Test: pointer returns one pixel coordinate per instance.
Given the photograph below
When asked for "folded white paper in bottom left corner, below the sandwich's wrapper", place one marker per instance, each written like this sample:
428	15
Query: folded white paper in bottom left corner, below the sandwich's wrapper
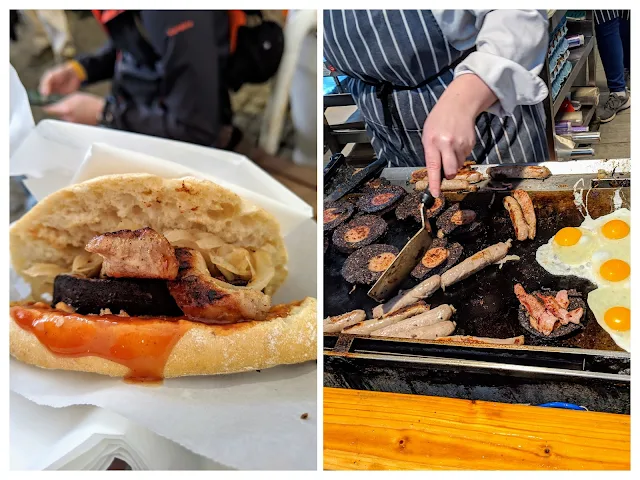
82	437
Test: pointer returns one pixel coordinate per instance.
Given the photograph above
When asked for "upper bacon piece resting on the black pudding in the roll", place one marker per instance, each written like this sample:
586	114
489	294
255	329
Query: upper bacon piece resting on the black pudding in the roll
140	253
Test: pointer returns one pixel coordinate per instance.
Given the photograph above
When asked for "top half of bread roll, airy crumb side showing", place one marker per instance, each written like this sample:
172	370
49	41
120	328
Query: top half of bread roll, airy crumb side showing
57	229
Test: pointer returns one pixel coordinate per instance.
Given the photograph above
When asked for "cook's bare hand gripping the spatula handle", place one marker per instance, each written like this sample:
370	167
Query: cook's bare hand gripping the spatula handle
449	131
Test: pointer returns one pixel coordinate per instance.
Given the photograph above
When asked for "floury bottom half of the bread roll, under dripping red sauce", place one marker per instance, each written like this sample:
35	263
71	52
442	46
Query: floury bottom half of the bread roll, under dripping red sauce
202	350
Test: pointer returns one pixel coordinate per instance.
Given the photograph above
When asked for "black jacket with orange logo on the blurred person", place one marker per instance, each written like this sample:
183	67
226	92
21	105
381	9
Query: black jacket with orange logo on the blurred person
167	71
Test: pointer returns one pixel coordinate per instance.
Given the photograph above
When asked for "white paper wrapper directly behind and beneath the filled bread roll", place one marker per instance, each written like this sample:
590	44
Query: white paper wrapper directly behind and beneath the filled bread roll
243	421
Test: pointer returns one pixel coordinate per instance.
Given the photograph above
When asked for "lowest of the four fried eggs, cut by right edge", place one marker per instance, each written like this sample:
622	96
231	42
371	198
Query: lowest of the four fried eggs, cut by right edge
612	308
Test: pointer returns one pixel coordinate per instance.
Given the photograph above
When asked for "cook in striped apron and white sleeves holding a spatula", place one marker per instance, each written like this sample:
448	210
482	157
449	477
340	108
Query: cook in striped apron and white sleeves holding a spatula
445	86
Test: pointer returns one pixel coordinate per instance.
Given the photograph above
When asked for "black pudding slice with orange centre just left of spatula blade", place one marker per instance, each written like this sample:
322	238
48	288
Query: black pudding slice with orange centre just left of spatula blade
367	265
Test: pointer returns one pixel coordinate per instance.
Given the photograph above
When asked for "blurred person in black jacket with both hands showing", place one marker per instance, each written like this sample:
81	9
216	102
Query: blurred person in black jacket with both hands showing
170	73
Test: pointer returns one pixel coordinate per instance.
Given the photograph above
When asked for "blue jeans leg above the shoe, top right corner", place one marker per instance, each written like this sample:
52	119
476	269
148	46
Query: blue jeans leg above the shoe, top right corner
614	45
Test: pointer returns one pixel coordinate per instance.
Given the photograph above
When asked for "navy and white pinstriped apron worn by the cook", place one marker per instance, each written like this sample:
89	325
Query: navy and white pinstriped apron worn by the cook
406	48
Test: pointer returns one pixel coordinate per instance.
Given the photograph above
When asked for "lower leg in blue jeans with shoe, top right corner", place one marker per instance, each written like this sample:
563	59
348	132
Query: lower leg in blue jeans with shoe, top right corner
613	36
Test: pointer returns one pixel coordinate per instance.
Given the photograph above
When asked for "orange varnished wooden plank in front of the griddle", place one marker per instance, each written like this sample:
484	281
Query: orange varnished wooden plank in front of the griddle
379	431
